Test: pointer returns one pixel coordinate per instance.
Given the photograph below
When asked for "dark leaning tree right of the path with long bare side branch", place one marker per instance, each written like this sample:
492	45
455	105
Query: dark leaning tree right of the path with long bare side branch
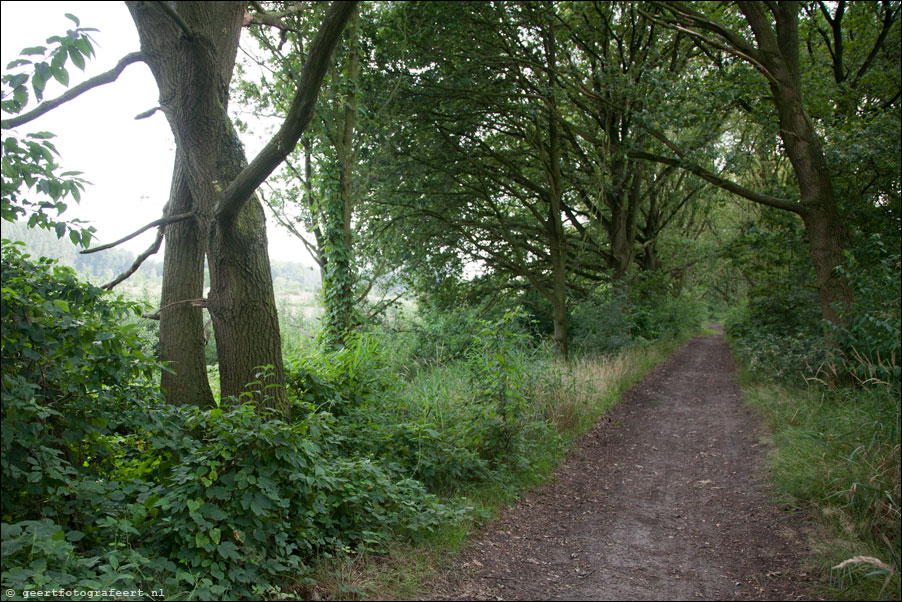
767	37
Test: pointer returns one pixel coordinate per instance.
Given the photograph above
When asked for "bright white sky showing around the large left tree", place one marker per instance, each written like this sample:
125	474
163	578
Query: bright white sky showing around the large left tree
128	162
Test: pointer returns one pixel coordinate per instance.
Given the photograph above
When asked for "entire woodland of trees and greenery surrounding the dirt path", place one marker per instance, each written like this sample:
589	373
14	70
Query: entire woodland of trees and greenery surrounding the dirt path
500	197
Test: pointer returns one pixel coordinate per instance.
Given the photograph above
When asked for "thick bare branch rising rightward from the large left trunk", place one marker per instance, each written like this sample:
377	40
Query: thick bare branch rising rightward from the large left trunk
242	187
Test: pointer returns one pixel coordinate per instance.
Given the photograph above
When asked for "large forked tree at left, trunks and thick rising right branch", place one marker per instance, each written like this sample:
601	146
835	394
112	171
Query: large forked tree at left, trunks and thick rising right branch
191	52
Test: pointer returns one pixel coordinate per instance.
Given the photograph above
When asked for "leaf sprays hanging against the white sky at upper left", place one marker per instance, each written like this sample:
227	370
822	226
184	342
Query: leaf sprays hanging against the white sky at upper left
29	161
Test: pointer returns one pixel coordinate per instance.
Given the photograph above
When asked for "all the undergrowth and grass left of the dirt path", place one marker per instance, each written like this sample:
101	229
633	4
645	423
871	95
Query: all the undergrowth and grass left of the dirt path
396	439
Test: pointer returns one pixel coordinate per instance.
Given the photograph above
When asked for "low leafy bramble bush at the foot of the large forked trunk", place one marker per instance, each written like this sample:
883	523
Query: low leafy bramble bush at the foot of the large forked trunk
254	499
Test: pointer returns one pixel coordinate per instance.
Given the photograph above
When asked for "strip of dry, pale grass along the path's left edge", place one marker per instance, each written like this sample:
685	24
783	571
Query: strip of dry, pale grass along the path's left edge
571	396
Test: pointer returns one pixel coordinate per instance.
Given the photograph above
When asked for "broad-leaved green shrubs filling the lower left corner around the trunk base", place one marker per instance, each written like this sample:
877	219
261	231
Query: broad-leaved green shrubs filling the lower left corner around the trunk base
103	484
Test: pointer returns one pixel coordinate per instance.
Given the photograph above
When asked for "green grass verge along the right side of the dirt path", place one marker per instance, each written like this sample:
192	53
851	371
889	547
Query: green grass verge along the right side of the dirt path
837	456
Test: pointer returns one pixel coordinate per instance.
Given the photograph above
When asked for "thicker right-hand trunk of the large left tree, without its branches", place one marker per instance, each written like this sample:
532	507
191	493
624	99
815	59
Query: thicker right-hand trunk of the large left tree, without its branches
193	70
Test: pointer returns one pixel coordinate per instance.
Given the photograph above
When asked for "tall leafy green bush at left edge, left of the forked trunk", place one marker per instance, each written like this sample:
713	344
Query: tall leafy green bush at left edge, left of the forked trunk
71	355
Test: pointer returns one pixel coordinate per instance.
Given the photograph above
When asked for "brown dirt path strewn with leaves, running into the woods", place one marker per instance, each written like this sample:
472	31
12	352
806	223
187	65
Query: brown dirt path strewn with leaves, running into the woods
663	500
